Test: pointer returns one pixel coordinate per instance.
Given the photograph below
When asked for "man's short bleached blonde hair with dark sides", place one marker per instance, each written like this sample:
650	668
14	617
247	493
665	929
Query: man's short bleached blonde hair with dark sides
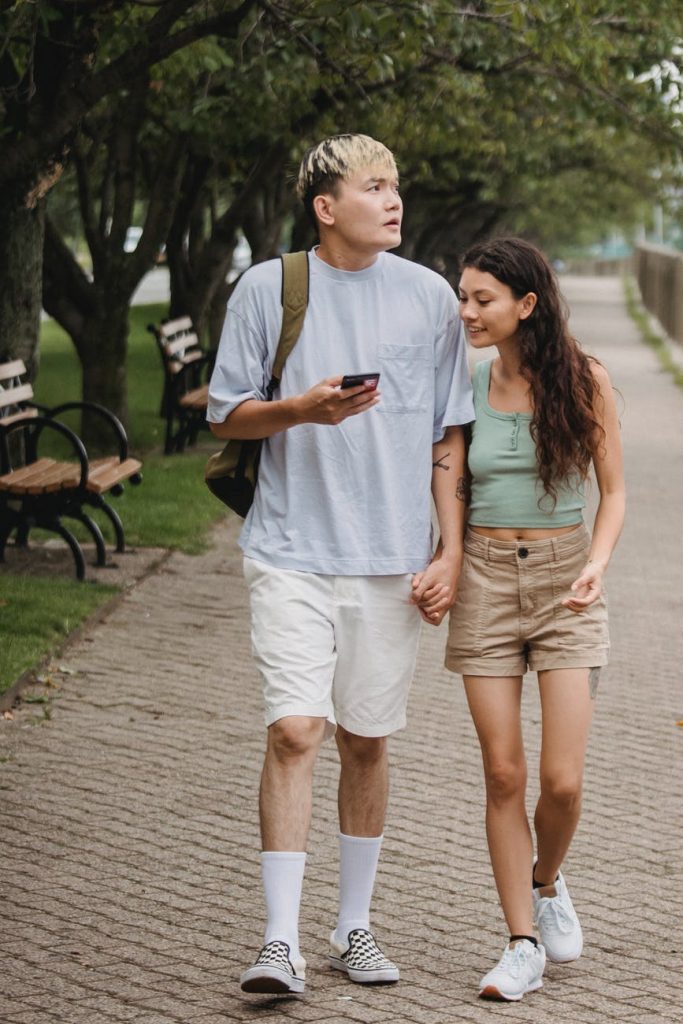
336	159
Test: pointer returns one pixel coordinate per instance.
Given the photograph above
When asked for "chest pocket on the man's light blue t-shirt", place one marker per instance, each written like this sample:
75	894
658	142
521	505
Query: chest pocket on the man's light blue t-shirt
407	379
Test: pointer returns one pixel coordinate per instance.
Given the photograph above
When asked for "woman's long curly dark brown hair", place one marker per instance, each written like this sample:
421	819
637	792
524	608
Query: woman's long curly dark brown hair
564	389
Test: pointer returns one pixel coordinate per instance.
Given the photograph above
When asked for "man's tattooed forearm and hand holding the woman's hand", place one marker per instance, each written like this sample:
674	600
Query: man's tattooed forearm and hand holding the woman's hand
435	590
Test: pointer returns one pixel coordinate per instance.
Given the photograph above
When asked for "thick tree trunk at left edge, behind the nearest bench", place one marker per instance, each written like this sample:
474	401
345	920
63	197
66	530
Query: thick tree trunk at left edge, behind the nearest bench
22	228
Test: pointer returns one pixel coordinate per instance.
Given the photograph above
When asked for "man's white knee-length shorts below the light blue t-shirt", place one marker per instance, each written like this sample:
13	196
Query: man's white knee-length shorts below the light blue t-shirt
337	648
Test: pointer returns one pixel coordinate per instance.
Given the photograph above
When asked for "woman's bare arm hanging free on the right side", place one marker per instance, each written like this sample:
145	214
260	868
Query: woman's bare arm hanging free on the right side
609	464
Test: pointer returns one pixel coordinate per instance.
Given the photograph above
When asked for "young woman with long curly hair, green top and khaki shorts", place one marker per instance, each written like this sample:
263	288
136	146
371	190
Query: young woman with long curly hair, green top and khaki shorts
531	593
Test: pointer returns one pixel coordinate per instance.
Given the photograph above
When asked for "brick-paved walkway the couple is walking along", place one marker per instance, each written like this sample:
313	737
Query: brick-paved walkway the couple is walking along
129	832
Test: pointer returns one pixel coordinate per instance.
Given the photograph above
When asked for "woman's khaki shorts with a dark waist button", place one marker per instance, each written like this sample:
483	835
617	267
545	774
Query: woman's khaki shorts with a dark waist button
509	617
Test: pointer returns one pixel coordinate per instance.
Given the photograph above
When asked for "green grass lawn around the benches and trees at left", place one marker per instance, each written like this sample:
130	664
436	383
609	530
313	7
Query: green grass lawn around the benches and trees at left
173	507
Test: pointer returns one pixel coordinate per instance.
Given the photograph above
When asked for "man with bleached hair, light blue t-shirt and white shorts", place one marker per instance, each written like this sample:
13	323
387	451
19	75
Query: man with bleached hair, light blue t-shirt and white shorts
338	552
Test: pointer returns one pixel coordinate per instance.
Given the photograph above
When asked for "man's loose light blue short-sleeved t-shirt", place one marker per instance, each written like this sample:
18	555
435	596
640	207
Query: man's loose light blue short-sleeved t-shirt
353	499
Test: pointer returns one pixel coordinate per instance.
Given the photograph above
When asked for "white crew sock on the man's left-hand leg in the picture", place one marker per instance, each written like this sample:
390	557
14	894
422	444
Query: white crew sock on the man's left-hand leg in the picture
283	878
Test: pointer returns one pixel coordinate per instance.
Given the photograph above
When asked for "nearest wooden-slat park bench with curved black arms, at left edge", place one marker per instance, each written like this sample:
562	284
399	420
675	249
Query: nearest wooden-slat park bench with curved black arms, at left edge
37	491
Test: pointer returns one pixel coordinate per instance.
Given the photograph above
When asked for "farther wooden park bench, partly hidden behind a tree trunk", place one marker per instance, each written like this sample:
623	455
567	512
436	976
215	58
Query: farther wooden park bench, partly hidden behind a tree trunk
186	393
